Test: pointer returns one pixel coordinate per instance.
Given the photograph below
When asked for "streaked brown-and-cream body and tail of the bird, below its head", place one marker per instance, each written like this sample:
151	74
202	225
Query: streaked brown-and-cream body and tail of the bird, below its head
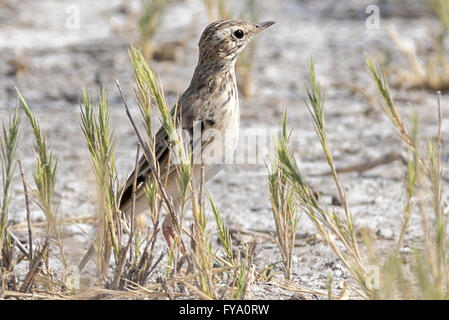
210	102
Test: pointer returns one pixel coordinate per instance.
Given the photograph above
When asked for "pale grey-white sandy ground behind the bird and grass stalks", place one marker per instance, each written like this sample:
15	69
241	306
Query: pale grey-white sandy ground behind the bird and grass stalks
59	62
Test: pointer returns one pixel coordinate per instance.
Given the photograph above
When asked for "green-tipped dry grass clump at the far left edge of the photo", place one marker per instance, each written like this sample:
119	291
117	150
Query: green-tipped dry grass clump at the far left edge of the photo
39	274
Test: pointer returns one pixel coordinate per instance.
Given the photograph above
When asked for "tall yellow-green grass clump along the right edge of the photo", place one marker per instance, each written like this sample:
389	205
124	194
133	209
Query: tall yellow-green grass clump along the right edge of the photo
428	277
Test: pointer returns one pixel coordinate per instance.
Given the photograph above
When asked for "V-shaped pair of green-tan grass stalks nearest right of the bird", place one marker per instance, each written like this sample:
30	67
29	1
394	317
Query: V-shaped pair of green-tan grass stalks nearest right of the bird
337	230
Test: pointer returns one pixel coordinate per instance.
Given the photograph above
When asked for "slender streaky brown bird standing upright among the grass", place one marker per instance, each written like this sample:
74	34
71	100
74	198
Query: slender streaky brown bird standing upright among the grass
211	104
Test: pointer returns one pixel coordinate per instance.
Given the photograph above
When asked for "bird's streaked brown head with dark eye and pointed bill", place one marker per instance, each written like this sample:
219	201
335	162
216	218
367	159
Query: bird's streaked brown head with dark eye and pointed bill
223	40
